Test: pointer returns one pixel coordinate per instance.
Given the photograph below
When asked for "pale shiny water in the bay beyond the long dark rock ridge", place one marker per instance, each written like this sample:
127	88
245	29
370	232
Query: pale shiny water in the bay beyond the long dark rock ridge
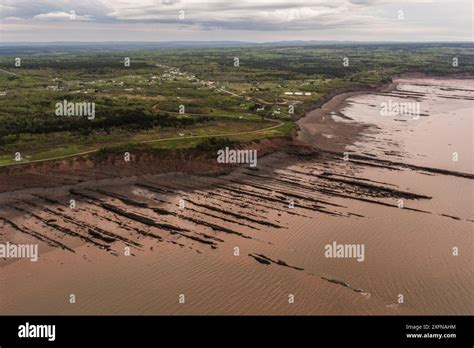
445	124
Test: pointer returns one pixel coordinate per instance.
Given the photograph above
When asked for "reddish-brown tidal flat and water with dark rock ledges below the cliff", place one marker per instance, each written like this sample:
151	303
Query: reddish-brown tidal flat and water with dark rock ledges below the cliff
190	250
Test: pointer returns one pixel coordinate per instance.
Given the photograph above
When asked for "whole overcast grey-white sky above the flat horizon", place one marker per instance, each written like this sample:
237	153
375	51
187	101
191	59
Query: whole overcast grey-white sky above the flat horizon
242	20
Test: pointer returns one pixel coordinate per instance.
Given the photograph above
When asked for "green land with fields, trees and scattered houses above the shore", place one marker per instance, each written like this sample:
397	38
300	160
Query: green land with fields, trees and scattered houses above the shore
140	103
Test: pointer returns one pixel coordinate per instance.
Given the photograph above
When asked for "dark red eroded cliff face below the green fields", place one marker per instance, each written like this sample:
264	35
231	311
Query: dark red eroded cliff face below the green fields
94	167
